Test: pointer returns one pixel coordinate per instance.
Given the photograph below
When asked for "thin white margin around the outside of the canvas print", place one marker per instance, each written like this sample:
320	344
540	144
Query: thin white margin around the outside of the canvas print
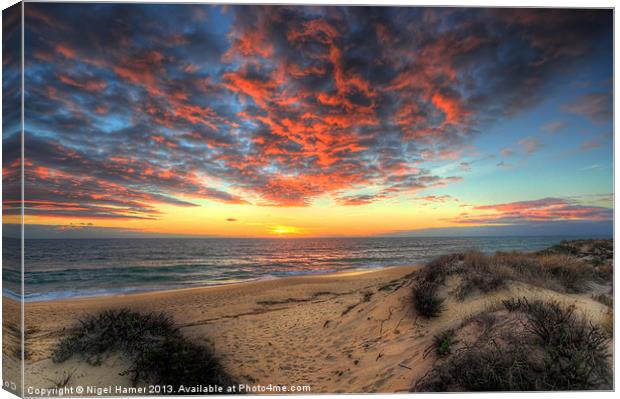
496	3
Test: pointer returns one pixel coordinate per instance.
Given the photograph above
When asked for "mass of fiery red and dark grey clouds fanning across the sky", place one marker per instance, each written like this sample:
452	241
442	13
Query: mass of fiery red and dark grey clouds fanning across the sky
290	104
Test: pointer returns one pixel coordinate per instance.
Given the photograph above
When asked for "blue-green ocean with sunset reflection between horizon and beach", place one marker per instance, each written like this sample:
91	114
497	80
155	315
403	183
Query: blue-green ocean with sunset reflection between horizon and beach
94	267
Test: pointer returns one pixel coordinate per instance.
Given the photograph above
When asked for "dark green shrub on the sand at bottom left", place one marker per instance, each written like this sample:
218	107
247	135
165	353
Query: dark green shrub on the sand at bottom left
158	352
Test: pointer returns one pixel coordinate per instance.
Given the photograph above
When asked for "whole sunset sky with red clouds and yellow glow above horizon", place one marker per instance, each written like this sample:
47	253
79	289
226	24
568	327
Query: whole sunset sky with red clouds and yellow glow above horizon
313	121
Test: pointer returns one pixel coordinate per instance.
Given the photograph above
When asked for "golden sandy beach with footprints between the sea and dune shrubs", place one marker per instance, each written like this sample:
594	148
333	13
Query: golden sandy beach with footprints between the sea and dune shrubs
341	332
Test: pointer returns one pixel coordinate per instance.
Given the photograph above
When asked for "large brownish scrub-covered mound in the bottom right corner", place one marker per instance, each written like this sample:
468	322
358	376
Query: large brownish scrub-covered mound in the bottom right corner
535	346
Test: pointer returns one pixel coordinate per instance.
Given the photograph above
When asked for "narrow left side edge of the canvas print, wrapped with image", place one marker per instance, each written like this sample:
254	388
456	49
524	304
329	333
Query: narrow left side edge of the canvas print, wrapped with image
13	351
